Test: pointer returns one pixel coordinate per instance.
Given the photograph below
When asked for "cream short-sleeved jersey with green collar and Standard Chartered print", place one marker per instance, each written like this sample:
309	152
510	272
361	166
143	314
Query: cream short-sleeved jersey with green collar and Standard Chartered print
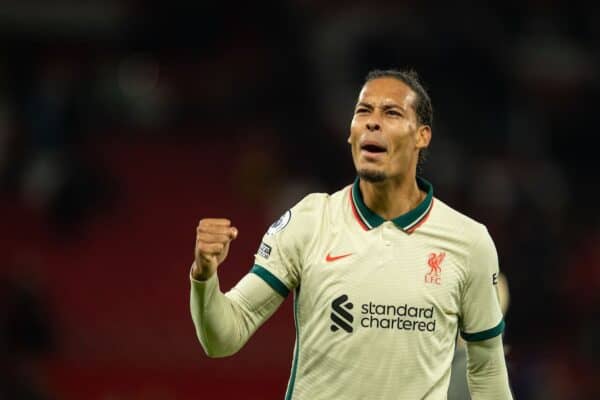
378	303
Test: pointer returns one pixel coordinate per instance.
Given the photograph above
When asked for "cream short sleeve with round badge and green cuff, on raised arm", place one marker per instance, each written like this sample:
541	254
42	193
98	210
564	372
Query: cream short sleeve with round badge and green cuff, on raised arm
281	253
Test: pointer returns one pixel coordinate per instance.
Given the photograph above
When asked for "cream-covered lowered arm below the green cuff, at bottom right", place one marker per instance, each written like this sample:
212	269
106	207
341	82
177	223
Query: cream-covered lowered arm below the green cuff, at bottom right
486	370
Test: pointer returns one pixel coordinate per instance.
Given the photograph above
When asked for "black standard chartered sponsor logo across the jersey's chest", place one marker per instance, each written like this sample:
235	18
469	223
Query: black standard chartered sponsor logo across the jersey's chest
403	317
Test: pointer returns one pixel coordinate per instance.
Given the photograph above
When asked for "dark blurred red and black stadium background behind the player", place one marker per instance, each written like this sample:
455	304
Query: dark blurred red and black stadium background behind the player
122	123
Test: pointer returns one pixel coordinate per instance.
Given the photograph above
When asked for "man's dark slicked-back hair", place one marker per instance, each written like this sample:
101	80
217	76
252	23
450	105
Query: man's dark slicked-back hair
422	106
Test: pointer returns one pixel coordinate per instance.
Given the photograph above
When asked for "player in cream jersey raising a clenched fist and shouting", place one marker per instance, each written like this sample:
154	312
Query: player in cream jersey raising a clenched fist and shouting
383	274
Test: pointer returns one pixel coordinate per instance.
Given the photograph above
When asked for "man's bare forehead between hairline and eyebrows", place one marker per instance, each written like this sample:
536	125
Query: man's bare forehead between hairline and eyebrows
387	89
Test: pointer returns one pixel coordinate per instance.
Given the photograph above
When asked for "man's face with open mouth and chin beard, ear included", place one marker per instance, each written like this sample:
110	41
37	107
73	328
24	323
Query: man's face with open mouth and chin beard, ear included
385	135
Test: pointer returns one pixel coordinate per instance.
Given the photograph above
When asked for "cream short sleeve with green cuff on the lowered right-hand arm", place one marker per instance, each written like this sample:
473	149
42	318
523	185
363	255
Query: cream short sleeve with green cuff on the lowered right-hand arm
481	315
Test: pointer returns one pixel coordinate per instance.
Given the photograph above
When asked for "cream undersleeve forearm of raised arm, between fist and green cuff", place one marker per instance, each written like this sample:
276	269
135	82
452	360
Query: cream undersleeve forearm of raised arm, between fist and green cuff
225	322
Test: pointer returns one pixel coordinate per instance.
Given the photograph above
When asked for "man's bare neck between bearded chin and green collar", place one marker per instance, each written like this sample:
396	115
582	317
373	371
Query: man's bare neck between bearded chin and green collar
393	197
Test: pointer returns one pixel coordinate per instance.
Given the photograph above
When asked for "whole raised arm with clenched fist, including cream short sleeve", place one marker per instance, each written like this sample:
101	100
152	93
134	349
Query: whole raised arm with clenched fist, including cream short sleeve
224	322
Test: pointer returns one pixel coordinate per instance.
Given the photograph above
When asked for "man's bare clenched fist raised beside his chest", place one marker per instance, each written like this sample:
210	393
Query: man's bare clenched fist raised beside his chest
213	236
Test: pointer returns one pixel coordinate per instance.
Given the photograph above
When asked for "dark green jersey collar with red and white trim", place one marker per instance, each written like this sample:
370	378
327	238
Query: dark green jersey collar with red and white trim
407	222
